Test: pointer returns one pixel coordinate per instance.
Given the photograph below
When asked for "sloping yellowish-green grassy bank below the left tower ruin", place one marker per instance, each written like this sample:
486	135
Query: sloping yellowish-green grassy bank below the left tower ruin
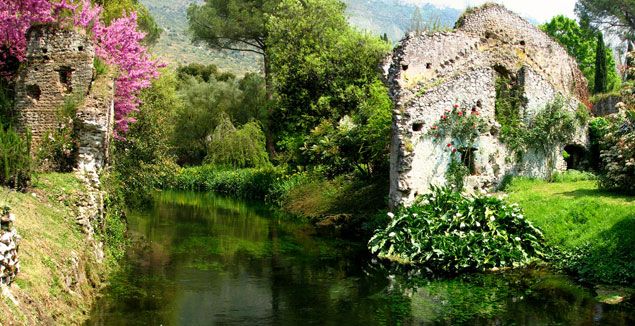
59	274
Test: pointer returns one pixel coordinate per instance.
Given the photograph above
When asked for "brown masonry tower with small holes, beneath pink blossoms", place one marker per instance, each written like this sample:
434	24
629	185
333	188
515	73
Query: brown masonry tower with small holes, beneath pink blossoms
59	63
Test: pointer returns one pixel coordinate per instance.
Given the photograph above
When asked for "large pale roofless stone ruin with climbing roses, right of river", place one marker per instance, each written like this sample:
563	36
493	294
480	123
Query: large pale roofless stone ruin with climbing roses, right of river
429	73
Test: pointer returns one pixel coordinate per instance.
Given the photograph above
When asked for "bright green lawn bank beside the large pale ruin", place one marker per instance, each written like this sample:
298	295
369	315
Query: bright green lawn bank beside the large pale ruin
591	230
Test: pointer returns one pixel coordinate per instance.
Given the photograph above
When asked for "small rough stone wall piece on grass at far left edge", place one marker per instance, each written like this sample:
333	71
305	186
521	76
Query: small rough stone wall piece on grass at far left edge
9	239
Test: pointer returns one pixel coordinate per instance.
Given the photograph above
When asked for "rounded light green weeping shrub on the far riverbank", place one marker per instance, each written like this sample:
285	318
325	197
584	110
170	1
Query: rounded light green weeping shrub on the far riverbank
237	147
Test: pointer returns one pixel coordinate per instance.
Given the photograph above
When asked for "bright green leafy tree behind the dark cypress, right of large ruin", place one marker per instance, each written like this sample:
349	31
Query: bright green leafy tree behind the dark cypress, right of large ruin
580	41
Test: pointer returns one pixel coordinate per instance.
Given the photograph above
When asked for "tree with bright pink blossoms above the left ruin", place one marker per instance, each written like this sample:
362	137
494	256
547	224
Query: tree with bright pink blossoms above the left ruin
118	44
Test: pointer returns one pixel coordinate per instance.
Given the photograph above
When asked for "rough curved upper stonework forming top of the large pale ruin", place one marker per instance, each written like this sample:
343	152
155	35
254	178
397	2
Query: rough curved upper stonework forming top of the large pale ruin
488	35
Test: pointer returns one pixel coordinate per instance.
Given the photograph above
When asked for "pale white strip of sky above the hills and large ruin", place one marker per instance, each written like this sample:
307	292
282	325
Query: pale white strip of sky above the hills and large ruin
540	10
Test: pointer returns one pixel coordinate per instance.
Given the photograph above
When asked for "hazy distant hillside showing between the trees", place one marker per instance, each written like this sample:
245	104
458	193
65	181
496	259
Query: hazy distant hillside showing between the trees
375	16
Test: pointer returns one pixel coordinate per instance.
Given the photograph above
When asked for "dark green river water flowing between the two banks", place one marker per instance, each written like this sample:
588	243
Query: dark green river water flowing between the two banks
199	259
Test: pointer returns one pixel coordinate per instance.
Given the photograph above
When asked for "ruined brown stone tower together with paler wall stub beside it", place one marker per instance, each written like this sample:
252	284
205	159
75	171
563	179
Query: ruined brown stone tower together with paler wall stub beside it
59	66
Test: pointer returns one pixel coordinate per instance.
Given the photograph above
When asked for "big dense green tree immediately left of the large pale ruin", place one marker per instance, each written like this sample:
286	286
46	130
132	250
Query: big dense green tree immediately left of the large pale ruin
327	86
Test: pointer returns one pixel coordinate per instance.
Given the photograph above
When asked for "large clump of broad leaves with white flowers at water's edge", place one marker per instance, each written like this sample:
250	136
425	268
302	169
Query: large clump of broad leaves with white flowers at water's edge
447	231
